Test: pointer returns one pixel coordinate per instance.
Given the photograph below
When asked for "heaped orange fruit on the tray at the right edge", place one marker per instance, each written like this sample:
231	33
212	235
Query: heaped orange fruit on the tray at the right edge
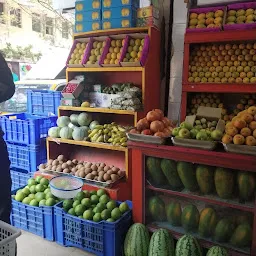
242	129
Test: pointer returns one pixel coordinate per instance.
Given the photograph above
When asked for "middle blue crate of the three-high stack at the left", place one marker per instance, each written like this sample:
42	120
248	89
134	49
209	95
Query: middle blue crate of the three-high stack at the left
27	157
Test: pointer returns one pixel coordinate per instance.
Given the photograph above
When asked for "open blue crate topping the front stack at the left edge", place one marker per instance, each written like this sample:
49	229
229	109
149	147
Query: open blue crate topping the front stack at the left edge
25	128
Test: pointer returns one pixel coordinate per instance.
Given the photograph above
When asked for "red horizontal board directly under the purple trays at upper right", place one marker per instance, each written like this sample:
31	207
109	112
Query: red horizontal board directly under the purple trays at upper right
222	36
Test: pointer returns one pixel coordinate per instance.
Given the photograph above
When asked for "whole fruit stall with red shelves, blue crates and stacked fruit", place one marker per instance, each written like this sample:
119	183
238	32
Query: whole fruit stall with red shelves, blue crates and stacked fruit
112	173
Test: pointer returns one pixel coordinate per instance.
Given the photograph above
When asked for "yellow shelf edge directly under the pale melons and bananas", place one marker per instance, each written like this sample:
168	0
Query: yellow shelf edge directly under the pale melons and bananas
88	144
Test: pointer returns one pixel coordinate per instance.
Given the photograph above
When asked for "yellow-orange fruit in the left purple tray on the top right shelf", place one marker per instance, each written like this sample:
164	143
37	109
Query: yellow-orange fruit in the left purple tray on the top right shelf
206	20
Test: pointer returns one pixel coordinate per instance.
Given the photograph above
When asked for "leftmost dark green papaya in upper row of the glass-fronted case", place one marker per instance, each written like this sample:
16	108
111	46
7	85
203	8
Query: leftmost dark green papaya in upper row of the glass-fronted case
154	170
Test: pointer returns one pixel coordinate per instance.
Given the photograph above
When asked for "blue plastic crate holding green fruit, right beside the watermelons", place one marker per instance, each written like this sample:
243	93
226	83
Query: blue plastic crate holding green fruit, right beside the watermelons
102	238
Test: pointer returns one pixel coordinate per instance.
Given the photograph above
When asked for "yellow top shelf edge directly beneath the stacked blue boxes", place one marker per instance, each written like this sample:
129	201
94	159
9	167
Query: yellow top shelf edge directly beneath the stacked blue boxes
112	32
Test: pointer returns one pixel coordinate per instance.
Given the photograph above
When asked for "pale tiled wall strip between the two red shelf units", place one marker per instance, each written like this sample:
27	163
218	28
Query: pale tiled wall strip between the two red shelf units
179	25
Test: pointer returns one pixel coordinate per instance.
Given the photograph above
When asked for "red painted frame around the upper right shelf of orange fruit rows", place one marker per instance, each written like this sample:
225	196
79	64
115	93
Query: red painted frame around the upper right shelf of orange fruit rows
212	37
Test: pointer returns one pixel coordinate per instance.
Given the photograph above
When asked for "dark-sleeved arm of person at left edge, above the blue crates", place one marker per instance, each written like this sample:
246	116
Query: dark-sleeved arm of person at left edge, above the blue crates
7	86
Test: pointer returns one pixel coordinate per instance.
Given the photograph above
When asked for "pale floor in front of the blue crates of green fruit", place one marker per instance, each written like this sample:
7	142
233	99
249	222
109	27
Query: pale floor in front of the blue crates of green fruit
31	245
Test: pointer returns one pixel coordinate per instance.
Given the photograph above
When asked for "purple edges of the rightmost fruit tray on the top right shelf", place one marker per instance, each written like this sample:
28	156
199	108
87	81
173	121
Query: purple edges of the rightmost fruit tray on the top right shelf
238	7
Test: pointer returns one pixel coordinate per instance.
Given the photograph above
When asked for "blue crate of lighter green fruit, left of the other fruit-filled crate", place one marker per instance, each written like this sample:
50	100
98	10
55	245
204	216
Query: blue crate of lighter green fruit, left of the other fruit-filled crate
37	220
